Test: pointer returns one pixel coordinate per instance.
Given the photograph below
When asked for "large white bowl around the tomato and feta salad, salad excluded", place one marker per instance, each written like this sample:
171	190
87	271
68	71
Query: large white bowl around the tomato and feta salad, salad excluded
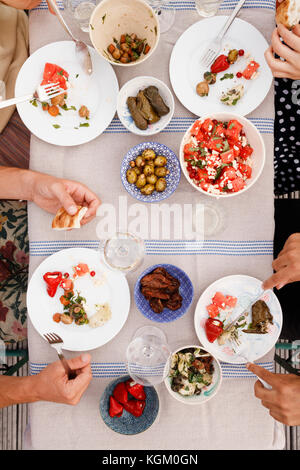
255	140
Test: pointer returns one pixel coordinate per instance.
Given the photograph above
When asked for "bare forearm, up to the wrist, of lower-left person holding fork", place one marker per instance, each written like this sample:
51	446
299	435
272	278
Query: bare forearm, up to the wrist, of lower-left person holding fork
14	390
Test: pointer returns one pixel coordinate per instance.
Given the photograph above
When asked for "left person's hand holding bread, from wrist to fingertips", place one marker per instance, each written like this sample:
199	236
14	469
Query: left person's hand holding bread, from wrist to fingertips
51	193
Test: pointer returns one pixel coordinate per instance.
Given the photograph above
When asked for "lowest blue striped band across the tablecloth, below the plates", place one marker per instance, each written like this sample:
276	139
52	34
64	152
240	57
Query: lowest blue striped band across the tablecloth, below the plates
117	369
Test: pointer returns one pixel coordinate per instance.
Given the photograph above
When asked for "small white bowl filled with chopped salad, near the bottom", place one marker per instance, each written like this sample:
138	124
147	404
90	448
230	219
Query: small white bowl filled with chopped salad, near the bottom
194	375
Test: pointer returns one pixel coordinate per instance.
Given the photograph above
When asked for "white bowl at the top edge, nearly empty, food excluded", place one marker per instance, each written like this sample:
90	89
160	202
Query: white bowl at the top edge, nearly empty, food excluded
112	18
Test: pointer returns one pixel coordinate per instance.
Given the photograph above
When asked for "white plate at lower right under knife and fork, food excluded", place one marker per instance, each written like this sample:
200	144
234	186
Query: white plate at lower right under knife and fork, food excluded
244	288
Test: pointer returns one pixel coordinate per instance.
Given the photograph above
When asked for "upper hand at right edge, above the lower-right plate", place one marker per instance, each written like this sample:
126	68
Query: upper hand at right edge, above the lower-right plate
286	265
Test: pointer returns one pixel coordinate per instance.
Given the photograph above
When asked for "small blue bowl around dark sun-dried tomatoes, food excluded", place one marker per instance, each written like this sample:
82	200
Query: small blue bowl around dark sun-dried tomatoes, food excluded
186	290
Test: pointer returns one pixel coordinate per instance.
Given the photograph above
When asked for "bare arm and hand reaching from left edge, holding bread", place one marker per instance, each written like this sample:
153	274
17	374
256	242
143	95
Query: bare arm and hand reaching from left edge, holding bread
48	192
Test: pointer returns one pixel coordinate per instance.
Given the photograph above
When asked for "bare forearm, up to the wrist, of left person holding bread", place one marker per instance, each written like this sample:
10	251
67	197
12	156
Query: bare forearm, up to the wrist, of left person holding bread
16	183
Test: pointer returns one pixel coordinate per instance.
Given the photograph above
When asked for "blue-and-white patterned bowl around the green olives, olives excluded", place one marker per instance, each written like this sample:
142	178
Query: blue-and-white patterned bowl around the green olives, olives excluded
172	178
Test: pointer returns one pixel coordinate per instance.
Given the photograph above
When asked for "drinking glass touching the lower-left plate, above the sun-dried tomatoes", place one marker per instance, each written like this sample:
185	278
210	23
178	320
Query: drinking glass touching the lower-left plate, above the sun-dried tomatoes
123	251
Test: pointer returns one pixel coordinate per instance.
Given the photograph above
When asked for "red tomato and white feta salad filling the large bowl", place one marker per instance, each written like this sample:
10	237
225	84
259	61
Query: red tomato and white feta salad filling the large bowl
218	156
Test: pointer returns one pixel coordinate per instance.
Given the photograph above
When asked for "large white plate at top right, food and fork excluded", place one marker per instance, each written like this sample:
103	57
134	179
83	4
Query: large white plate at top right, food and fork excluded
186	70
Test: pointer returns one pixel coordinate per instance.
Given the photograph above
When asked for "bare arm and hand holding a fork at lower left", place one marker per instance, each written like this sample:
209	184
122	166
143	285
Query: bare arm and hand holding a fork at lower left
51	384
